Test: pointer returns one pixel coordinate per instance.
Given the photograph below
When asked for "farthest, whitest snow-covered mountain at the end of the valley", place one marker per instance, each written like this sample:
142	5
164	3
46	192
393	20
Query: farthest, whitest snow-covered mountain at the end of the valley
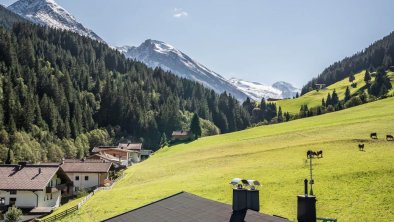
256	91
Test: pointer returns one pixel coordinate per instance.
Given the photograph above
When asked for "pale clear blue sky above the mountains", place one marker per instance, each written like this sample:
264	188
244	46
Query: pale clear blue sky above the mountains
256	40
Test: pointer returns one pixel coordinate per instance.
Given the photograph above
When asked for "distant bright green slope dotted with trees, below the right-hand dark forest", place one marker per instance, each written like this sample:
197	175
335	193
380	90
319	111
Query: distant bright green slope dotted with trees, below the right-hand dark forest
314	97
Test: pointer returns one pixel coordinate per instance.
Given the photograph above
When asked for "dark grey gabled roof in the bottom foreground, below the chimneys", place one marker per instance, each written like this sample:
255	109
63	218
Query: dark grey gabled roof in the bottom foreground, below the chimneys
186	207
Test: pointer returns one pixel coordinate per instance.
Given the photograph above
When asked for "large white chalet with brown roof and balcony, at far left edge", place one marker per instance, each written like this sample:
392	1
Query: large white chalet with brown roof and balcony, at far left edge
37	187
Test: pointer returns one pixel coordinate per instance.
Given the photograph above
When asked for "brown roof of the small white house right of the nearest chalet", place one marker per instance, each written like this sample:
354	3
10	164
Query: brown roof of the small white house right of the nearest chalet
79	166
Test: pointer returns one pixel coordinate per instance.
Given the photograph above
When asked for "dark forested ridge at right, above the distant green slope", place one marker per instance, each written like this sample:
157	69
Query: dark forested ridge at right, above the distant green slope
378	55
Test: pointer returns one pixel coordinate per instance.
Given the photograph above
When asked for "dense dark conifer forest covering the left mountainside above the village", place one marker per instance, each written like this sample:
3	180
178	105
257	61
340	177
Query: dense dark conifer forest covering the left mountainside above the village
61	94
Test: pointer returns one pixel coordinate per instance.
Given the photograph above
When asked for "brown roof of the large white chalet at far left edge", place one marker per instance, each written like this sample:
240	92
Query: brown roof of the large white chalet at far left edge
27	178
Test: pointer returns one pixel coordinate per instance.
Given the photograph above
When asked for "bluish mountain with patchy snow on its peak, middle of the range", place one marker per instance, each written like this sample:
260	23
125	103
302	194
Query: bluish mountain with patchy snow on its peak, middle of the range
159	54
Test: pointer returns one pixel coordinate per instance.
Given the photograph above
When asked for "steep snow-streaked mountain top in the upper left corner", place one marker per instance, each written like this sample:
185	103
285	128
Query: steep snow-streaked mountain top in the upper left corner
48	12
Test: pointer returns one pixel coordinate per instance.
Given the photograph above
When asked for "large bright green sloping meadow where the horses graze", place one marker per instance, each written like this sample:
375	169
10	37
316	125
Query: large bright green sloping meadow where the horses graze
350	185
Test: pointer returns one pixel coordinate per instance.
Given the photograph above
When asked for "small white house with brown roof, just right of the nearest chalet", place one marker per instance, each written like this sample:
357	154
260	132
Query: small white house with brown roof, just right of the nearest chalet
87	174
